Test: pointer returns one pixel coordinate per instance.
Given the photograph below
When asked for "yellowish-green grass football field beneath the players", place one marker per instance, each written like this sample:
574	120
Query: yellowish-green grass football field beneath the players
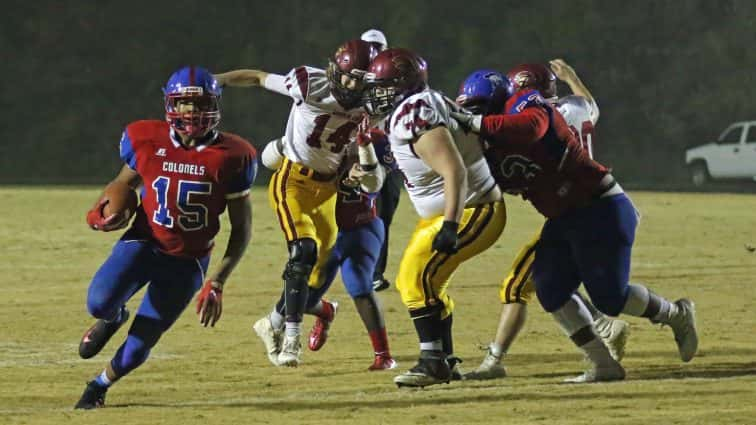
688	245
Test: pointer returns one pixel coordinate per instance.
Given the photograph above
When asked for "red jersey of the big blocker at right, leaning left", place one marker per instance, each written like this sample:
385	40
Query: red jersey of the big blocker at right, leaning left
532	152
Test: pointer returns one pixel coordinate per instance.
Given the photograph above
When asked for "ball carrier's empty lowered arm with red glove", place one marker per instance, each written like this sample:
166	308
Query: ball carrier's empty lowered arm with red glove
209	302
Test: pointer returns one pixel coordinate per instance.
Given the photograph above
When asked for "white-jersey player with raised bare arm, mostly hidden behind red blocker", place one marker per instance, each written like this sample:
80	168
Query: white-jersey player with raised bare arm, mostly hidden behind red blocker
517	290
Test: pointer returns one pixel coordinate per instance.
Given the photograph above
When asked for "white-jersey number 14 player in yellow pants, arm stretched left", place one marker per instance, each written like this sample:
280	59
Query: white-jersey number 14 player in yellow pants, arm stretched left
325	113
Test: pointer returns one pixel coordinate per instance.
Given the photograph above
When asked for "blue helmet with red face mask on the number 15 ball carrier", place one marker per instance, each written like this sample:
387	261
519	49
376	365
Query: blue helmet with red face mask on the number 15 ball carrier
192	101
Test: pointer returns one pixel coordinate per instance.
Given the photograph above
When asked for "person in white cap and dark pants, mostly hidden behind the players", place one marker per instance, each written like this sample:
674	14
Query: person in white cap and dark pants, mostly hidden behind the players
388	199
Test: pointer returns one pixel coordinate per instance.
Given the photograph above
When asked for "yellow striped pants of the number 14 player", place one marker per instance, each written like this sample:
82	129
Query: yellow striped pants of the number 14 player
306	208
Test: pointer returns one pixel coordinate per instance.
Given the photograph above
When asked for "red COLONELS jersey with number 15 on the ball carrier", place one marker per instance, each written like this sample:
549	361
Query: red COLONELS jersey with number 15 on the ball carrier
185	188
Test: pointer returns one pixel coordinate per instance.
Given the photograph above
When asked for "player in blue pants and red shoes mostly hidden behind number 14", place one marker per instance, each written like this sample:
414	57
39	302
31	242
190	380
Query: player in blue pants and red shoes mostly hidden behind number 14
358	242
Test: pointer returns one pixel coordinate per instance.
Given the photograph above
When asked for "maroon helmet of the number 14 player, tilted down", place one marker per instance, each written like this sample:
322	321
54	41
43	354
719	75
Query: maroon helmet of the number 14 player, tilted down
346	70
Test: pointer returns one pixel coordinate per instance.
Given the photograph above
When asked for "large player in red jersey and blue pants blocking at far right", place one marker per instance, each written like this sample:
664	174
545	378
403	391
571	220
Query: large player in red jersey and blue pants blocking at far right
589	230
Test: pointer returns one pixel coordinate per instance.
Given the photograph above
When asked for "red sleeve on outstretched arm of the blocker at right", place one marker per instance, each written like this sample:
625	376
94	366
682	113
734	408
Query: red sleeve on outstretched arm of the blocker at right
525	127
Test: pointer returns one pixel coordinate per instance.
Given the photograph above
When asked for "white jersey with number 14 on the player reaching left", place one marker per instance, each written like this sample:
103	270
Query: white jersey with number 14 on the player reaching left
318	128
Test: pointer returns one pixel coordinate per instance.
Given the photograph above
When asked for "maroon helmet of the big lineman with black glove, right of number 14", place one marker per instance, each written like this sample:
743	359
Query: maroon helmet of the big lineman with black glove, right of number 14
394	75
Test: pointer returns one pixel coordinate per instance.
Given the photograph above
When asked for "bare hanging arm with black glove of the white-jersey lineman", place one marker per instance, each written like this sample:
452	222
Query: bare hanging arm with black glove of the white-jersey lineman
437	149
